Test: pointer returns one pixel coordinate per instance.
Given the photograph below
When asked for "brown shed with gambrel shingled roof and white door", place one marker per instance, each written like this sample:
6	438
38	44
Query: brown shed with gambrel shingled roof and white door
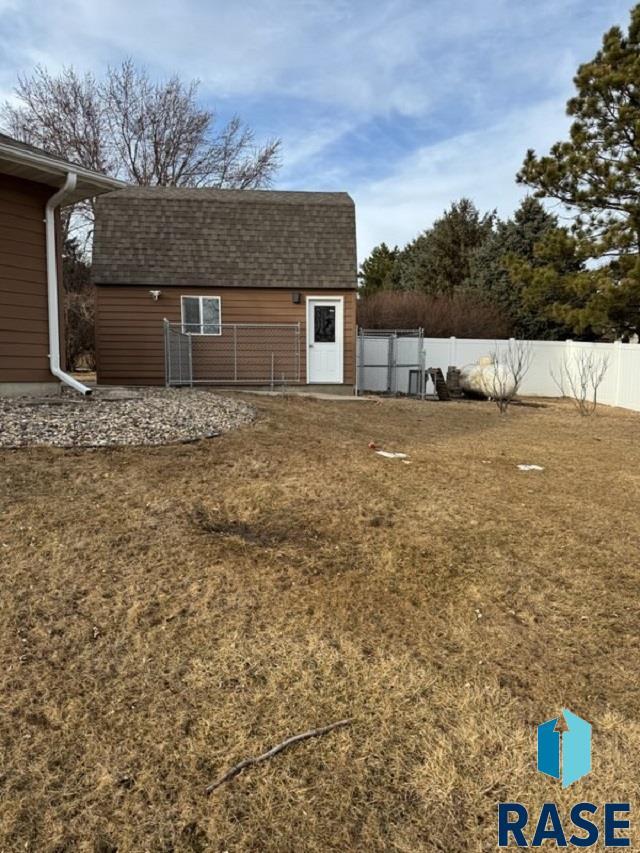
253	285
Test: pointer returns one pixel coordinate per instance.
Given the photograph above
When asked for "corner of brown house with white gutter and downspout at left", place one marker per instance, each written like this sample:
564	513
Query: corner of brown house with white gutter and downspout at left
32	186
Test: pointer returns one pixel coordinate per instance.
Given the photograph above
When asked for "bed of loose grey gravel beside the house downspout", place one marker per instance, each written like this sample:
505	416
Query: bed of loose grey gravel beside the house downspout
115	417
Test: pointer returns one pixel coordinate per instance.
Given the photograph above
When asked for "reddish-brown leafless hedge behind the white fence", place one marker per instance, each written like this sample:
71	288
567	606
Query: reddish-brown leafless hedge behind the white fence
463	315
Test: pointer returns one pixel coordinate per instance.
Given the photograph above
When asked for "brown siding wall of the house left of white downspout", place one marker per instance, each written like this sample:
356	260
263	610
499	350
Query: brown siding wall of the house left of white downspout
24	336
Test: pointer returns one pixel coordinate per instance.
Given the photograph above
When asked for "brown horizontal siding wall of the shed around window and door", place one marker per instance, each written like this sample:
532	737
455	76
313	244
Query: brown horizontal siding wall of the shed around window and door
130	336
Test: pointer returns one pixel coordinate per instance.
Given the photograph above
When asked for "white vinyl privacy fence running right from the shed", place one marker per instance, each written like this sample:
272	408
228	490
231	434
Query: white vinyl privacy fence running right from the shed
620	386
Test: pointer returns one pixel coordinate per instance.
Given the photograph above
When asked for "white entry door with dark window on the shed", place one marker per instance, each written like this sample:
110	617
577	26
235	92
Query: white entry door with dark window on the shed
324	339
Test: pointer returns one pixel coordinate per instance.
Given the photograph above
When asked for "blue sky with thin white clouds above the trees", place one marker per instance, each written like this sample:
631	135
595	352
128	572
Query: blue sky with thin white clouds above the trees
407	105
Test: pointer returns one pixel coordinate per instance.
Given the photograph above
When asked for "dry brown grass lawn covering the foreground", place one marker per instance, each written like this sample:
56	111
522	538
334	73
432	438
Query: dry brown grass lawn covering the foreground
168	612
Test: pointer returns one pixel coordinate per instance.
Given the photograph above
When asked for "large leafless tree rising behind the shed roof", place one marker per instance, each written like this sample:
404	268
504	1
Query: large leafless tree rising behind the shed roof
130	127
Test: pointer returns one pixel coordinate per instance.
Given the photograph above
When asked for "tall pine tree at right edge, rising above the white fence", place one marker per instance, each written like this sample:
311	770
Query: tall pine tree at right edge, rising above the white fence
596	172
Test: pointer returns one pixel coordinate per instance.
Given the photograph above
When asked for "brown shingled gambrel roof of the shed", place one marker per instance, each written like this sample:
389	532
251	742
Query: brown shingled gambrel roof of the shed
239	238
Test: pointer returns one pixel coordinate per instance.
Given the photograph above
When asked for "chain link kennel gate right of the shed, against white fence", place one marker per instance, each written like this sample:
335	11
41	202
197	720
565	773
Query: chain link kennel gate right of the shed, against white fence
391	361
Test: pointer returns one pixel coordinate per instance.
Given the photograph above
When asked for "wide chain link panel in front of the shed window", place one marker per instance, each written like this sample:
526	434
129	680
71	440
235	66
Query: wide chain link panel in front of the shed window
241	354
